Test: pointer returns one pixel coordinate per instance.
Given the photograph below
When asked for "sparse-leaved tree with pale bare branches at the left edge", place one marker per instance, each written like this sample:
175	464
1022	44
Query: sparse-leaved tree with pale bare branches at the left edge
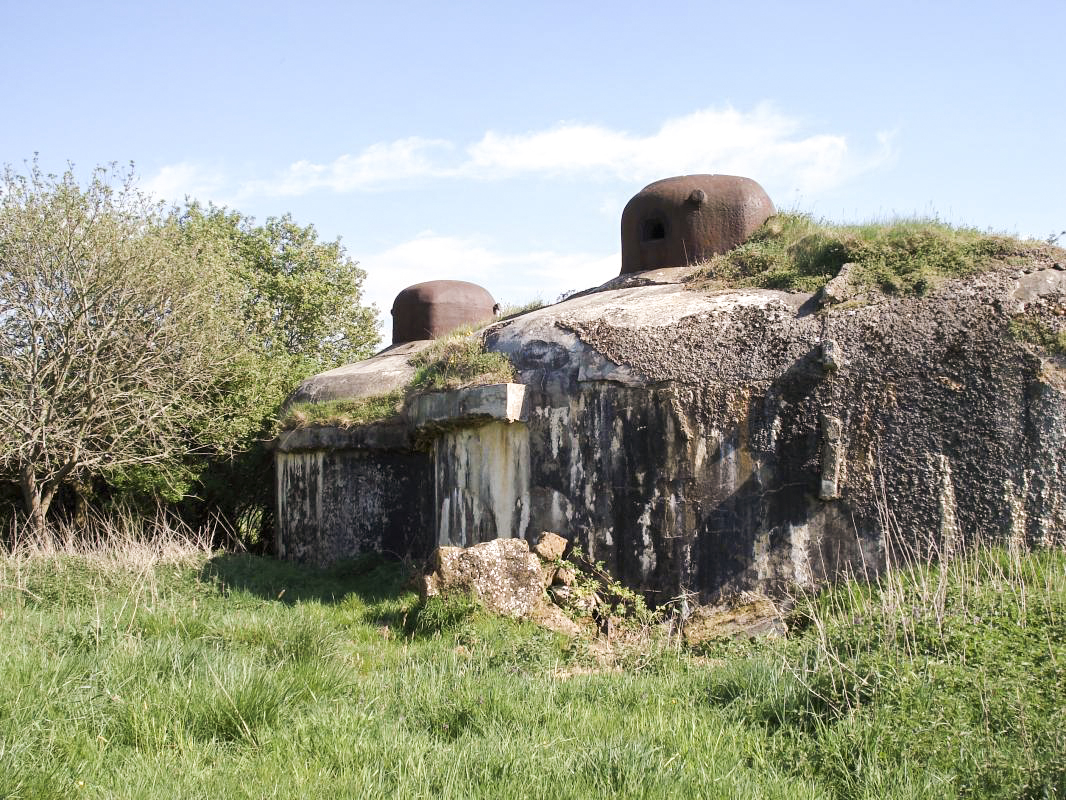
115	342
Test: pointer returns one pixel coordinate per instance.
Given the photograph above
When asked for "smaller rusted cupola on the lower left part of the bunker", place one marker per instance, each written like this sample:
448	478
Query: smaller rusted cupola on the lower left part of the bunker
431	310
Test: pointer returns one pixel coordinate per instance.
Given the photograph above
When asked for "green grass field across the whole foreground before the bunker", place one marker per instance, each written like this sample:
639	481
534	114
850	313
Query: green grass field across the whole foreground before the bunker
131	673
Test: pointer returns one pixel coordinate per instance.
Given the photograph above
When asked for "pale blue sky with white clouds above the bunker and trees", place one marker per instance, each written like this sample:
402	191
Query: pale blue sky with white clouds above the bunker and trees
498	142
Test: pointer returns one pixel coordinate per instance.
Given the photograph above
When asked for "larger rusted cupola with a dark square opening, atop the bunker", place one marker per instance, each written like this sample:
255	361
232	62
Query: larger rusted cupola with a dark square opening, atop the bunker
686	220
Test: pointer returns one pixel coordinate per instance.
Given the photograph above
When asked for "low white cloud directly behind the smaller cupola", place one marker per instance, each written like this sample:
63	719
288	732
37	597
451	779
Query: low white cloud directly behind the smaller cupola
511	278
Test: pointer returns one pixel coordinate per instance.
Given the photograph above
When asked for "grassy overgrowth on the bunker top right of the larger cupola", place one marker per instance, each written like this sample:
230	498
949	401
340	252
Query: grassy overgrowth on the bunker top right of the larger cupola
901	257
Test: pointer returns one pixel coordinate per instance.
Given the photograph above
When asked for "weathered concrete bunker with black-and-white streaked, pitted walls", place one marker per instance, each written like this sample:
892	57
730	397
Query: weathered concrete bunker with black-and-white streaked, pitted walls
709	441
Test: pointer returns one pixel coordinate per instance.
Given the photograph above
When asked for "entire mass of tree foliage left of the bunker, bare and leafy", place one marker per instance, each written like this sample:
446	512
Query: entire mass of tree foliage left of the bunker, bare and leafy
146	349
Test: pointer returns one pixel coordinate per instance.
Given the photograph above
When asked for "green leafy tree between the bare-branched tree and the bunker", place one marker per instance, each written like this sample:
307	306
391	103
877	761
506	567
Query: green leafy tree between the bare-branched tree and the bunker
301	307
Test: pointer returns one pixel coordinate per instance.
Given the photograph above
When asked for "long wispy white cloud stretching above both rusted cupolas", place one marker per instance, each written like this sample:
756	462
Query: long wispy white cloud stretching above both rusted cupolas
763	143
